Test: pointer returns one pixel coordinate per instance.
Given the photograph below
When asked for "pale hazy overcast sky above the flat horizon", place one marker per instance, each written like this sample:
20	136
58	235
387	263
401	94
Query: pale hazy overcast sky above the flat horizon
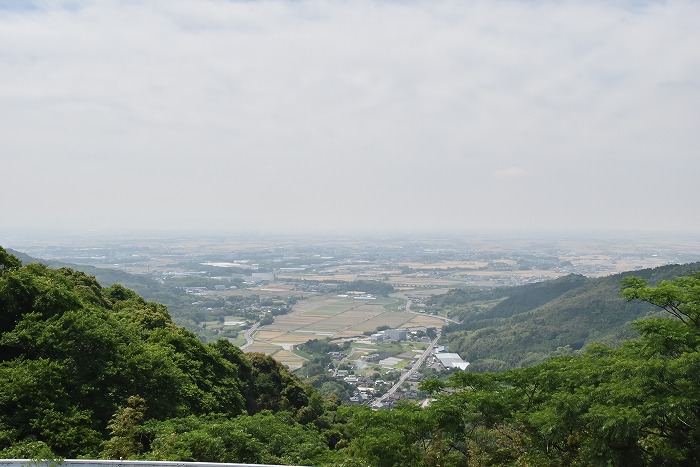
349	115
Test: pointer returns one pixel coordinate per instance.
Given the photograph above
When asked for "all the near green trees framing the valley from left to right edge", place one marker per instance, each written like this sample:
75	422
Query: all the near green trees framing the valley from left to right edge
97	372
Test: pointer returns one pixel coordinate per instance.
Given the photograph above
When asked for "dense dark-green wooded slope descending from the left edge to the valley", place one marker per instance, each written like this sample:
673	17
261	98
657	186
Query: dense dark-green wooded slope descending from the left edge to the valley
74	355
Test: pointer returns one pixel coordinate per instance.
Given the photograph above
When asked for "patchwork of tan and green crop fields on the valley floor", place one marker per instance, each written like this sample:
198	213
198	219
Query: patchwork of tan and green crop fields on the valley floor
330	316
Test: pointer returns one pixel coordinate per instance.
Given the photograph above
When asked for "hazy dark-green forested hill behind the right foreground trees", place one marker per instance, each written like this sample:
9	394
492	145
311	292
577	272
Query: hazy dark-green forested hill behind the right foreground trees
510	327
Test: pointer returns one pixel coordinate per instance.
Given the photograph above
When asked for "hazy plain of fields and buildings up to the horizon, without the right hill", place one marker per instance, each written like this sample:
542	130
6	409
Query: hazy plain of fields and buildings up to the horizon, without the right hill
364	298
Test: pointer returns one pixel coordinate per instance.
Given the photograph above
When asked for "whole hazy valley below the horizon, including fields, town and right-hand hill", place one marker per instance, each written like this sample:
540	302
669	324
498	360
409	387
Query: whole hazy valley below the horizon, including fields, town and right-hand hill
273	294
